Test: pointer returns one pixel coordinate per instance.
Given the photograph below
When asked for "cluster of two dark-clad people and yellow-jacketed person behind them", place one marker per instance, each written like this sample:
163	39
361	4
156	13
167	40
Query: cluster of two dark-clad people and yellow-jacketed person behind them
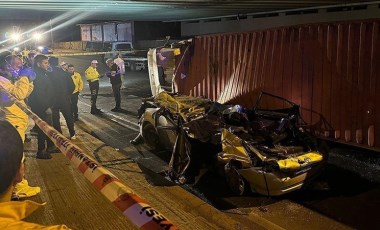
54	89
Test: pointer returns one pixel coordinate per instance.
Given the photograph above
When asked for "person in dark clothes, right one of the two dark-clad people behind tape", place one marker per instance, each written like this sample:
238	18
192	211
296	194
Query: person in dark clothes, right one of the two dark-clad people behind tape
63	88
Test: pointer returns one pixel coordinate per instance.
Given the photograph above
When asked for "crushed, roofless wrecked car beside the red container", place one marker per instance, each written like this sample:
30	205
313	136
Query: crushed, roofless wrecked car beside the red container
264	150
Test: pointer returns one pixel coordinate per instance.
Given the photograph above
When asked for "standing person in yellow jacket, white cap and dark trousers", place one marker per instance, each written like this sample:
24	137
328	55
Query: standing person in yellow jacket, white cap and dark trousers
92	76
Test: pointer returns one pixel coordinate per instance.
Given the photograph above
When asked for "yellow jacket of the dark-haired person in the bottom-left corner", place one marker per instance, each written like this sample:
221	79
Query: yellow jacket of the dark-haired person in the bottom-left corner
12	213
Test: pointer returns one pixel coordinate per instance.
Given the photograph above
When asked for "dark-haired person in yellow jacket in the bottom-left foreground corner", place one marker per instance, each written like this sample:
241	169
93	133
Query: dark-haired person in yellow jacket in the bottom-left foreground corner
12	172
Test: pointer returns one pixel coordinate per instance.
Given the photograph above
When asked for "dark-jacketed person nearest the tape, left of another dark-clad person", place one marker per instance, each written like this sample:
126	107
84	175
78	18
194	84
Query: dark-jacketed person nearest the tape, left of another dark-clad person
41	101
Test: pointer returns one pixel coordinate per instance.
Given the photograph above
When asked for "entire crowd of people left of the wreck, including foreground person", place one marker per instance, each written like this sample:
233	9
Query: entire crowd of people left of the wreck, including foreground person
49	89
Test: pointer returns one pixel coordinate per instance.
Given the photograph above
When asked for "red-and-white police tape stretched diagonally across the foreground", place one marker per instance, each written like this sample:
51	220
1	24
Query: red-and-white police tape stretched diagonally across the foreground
138	211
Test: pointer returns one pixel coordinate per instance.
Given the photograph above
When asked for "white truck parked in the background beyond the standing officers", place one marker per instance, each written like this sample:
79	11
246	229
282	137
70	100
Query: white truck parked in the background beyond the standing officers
135	60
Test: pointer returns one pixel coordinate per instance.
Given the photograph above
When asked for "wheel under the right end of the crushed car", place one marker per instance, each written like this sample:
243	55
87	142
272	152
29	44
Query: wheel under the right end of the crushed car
238	185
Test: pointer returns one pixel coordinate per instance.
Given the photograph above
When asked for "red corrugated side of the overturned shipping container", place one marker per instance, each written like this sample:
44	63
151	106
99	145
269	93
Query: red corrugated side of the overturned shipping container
331	70
